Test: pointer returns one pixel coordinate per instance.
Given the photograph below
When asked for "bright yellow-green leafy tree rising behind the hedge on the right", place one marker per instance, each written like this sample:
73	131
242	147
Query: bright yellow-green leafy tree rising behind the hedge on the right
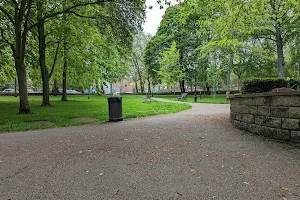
233	22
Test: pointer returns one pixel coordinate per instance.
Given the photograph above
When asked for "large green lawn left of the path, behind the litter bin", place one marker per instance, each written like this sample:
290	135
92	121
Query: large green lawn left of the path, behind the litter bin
61	113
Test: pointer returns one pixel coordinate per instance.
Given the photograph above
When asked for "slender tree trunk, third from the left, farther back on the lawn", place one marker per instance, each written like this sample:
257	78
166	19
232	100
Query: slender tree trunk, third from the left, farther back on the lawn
65	69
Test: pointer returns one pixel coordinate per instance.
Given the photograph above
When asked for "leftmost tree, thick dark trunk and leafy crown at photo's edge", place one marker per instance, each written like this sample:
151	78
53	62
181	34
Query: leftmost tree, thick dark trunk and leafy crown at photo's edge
15	25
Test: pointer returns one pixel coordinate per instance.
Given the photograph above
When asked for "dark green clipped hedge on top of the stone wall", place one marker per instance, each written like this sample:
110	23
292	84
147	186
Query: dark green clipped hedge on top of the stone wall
268	84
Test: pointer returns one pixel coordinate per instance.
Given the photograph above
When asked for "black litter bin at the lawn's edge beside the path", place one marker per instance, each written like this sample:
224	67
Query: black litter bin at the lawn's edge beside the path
115	109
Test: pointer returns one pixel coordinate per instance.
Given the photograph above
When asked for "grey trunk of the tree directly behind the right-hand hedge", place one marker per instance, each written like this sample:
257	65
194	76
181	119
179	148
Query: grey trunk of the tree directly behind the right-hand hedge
279	44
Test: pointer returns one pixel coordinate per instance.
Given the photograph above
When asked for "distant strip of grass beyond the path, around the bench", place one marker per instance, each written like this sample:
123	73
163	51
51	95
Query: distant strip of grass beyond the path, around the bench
219	98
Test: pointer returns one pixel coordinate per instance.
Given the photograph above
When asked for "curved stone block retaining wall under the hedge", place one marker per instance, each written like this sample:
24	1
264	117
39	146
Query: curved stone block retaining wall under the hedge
274	115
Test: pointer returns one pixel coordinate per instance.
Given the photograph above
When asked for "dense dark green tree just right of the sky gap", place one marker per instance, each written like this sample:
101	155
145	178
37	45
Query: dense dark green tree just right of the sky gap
183	32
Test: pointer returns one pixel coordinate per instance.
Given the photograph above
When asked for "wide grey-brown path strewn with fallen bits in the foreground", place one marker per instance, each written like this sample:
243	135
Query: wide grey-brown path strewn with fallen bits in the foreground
194	154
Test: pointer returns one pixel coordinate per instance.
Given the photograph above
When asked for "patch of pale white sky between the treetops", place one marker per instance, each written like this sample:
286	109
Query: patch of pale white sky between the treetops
153	17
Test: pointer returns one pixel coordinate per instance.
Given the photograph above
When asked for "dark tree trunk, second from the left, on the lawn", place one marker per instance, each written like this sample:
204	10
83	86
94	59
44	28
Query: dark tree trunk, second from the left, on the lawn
42	60
